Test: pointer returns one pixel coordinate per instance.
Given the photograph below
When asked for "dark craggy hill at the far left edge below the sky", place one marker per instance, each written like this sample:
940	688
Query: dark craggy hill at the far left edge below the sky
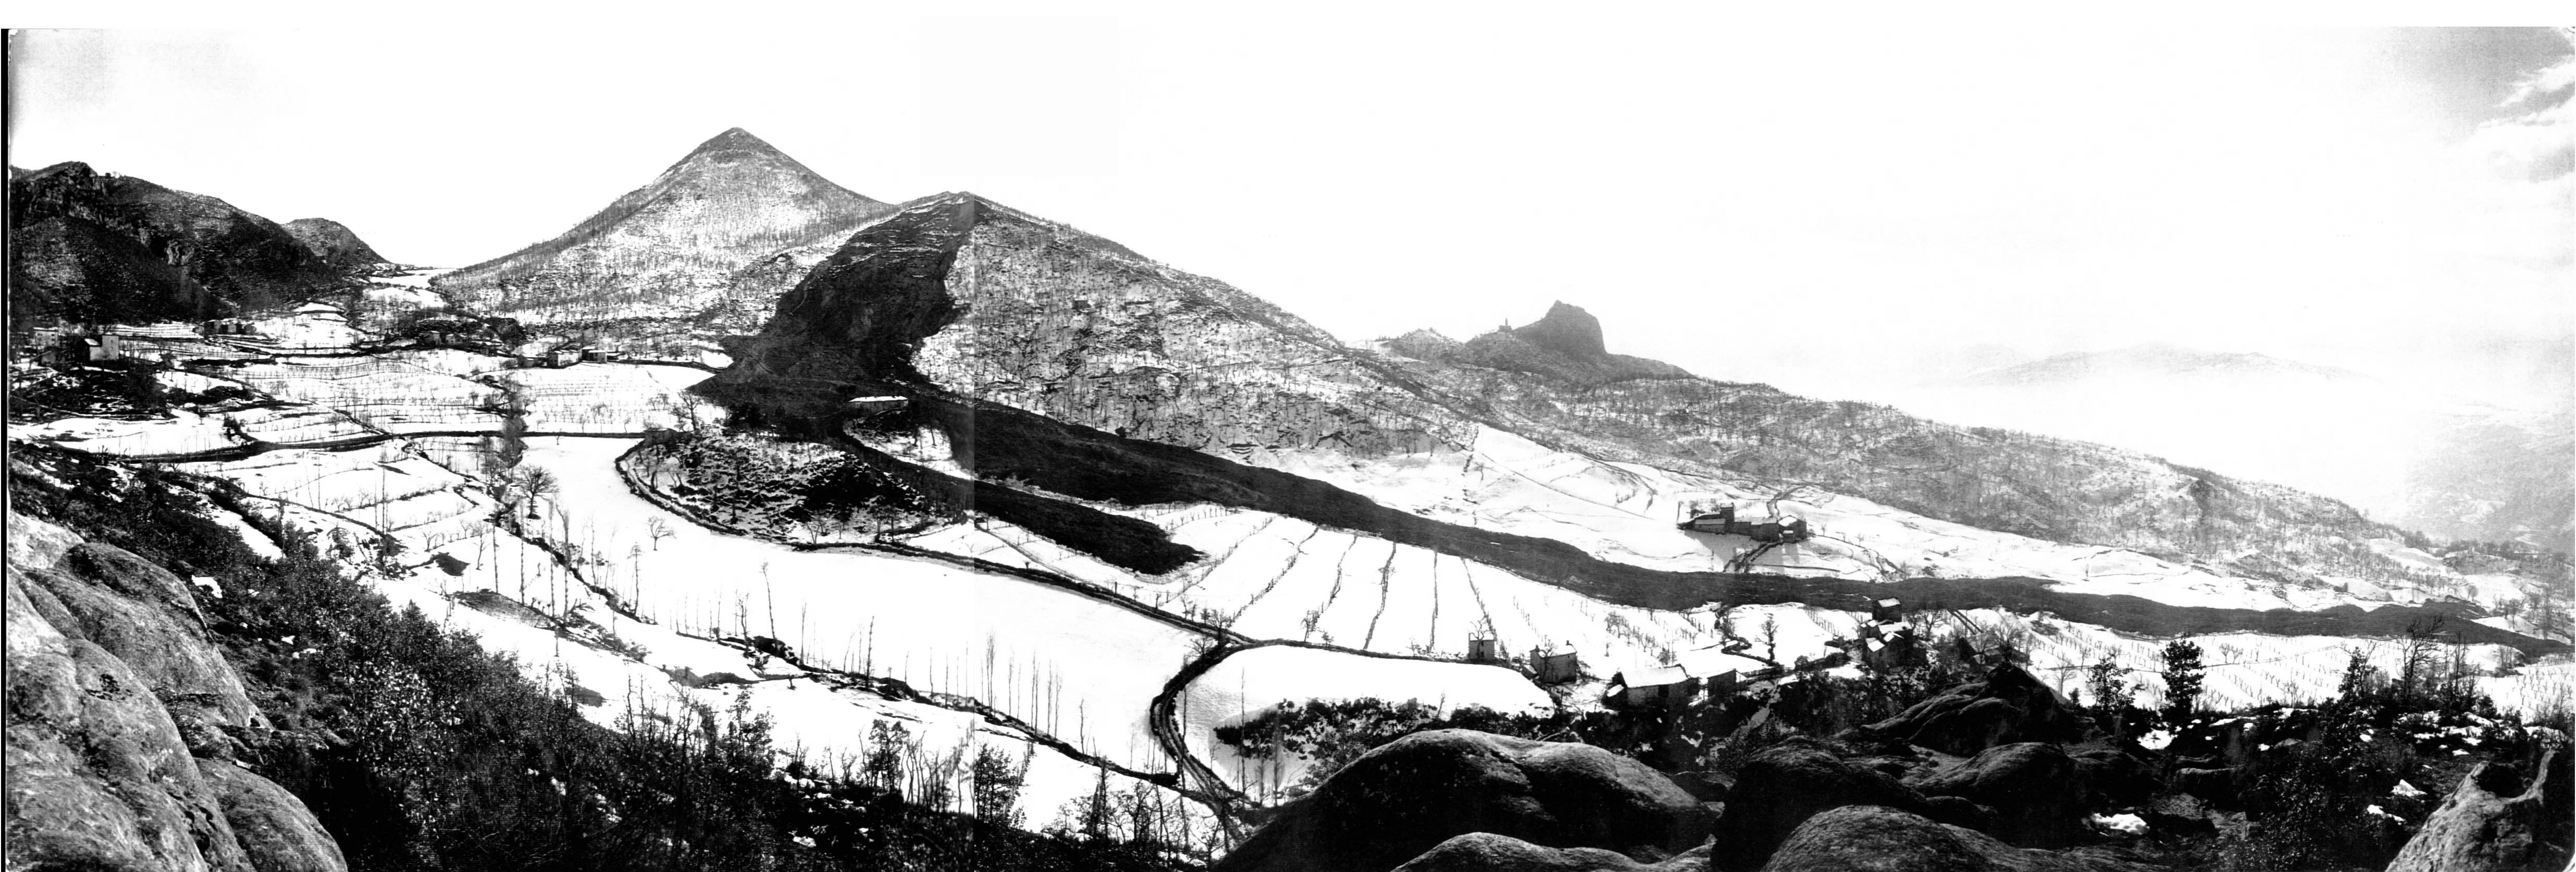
112	249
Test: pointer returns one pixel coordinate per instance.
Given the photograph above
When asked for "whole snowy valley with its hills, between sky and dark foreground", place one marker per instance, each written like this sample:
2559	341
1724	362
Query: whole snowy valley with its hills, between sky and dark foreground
944	481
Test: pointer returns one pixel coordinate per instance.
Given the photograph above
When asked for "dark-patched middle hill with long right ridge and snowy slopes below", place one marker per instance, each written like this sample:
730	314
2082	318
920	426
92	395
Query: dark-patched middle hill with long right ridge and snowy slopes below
1047	362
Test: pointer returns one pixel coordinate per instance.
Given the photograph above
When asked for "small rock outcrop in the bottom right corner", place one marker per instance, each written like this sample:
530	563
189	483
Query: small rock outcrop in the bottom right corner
2492	824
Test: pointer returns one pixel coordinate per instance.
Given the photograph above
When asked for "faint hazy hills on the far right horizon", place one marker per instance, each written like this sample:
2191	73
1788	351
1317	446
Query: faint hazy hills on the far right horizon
2418	461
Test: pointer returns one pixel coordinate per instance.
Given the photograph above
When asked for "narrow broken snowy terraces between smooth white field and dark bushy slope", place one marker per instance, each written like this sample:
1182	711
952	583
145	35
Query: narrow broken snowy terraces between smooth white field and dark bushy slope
810	718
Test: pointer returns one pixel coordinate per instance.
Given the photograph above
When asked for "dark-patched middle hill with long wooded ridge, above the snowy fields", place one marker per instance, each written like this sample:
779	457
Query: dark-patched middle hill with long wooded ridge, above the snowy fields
993	306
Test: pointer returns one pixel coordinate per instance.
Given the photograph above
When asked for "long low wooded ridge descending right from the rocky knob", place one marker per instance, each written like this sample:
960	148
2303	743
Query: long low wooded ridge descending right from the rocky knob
1993	479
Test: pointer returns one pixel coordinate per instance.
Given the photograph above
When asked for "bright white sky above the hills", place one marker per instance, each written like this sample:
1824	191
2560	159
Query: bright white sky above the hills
1823	208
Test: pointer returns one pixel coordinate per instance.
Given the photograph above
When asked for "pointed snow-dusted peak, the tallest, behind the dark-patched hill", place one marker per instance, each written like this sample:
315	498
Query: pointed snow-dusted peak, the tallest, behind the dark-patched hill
699	252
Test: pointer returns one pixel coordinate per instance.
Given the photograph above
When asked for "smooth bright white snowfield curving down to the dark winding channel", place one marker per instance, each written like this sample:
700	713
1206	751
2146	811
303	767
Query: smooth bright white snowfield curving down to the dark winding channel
1070	664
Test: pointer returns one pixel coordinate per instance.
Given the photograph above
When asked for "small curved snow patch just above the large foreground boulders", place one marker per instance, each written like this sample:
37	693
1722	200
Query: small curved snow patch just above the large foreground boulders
1258	680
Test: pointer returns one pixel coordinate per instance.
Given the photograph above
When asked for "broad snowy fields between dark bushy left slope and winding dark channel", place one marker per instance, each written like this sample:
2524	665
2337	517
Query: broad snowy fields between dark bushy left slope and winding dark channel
434	510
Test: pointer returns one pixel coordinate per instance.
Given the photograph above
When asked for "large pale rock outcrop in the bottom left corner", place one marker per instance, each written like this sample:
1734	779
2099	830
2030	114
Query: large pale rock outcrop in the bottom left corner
102	773
